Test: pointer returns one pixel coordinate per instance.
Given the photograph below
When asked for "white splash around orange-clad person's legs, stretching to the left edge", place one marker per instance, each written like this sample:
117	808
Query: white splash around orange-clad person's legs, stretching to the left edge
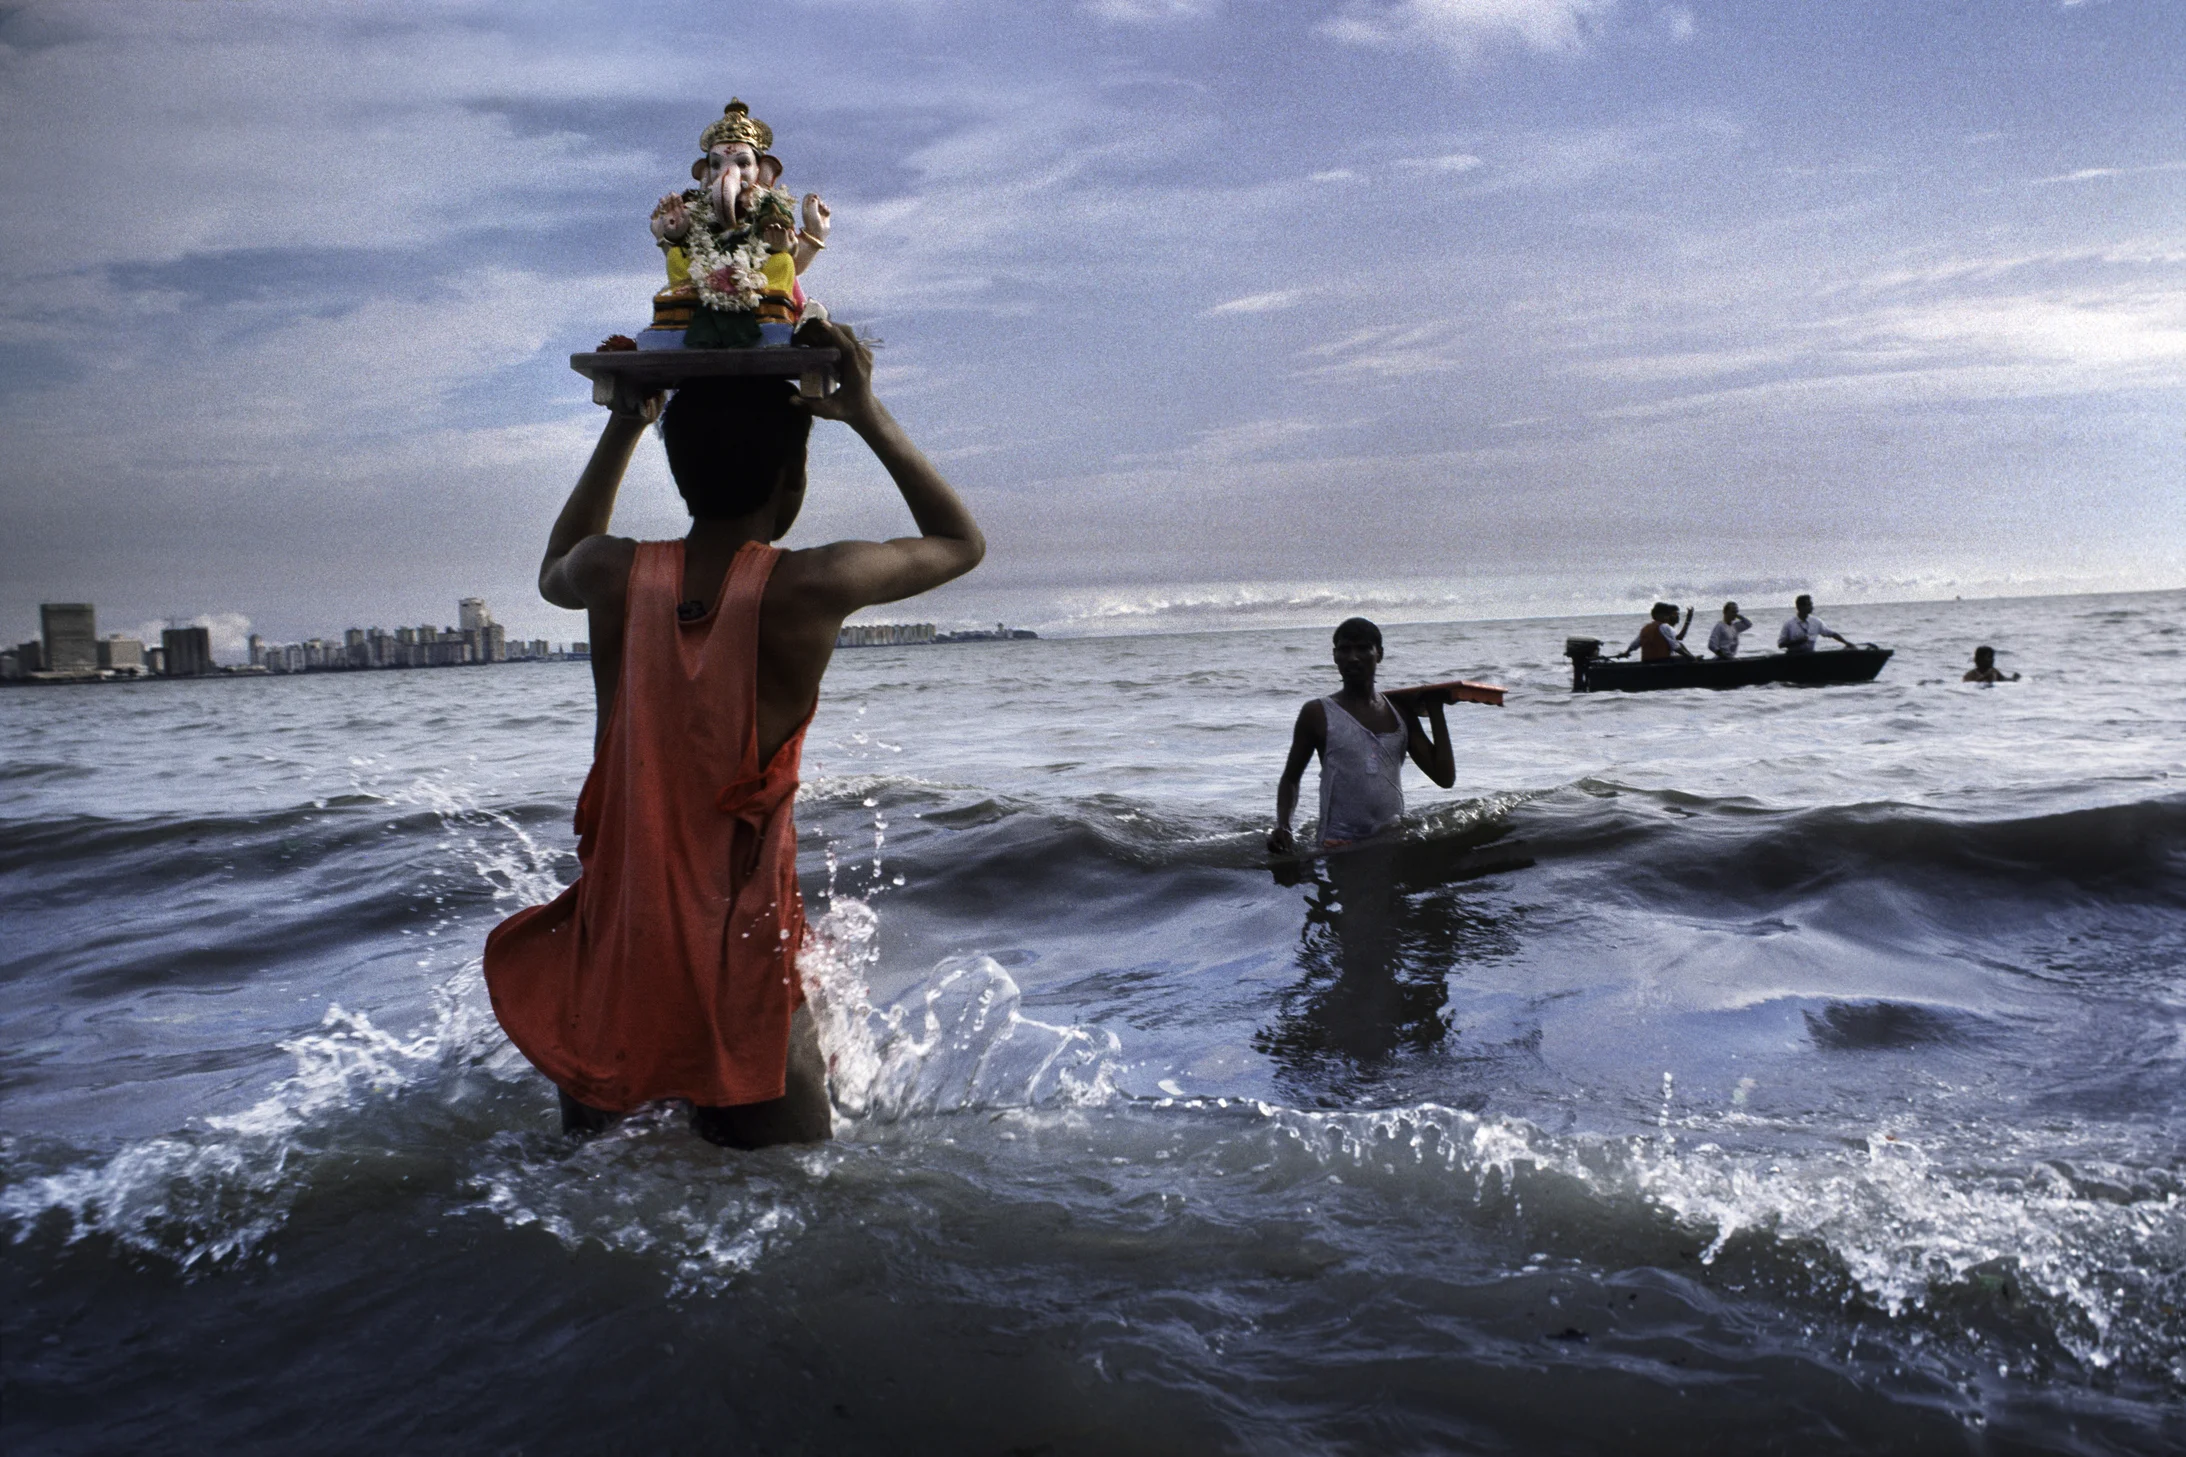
362	1098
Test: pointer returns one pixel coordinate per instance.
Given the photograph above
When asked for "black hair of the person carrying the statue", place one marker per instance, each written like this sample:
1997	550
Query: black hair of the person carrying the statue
733	442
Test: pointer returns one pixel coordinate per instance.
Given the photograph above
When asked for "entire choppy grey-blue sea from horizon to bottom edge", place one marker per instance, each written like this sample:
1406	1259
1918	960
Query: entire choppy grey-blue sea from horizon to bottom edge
1759	1071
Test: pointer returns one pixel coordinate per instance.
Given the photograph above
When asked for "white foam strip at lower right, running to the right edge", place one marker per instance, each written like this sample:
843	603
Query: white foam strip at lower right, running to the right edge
1894	1222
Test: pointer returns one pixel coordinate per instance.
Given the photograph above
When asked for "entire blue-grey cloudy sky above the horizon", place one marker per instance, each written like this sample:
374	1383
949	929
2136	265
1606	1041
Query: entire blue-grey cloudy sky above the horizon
1219	311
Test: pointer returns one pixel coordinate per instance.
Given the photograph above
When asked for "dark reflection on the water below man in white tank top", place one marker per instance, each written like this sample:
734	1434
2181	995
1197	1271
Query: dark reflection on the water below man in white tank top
1387	927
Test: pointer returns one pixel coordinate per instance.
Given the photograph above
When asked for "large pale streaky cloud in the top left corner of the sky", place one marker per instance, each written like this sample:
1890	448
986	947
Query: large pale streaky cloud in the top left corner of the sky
189	130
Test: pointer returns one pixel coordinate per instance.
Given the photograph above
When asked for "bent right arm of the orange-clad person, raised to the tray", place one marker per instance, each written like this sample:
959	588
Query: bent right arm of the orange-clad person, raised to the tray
858	576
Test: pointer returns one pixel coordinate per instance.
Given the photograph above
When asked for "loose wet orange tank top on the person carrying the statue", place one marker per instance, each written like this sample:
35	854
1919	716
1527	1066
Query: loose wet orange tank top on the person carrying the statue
668	969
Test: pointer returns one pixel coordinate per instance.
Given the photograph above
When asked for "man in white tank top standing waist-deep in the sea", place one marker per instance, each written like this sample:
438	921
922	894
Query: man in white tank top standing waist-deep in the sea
1363	739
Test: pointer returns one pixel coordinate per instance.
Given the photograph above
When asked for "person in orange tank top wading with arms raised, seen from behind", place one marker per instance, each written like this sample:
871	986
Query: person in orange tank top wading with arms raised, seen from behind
668	971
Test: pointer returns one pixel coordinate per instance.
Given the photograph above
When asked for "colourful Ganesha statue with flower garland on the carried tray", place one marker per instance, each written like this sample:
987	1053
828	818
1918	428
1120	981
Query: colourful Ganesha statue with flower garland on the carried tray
736	246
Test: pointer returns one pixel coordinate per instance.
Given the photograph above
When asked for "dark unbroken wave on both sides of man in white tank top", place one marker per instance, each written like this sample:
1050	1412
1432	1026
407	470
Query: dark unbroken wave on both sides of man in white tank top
1658	846
